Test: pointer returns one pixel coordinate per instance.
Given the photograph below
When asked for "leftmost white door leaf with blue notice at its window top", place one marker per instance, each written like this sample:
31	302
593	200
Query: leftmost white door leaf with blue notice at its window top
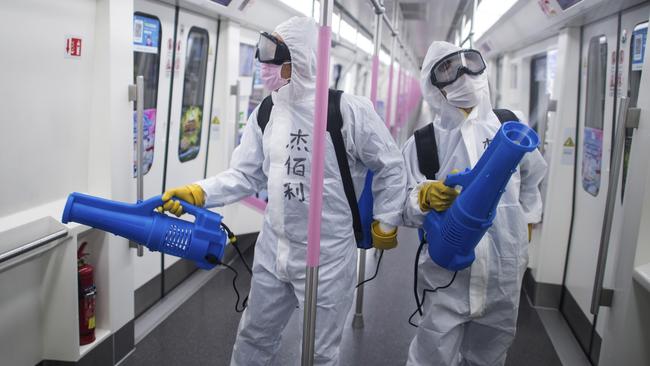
153	33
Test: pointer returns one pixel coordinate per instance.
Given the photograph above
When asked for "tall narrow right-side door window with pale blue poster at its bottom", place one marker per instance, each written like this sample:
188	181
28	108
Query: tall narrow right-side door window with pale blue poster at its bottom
594	115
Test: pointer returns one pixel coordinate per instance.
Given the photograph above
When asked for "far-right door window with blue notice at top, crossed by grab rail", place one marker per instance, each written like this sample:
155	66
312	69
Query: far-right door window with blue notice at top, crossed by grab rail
637	54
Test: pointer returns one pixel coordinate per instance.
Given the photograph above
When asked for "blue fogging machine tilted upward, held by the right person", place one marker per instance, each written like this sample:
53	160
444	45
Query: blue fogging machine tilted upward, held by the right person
453	234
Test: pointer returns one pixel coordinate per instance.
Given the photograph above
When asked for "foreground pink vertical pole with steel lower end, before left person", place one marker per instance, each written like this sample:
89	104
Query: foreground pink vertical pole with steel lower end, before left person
316	183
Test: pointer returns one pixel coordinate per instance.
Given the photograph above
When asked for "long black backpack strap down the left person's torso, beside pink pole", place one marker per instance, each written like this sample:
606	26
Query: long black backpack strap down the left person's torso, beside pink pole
334	127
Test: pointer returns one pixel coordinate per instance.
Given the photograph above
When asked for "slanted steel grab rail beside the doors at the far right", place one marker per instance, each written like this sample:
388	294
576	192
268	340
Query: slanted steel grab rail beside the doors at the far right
610	204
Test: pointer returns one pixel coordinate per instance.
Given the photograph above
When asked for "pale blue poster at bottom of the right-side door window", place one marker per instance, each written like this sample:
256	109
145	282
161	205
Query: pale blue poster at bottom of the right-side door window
591	160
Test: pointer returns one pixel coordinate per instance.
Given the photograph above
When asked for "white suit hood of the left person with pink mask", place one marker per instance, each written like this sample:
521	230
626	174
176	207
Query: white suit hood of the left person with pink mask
300	34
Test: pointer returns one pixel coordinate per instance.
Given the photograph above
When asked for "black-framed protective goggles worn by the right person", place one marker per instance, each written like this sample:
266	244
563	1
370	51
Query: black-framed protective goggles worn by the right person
454	65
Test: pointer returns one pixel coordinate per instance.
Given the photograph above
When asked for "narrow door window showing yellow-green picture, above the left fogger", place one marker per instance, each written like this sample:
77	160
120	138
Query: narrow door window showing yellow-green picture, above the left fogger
196	63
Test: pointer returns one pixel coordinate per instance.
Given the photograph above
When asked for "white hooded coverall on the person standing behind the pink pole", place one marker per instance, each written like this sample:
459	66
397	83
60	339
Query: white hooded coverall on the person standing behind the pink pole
280	160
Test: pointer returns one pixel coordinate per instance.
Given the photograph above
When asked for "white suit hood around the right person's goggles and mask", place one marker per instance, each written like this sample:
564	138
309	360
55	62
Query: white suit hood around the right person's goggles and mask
451	116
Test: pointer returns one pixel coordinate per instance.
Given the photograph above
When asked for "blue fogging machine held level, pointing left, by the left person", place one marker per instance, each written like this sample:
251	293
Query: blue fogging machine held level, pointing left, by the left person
202	241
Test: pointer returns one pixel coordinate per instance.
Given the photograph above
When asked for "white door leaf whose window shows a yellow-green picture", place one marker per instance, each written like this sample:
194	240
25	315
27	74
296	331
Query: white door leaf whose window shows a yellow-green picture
196	47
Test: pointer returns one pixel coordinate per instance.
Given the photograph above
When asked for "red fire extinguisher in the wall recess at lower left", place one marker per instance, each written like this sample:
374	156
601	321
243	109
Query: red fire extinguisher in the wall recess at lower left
87	295
